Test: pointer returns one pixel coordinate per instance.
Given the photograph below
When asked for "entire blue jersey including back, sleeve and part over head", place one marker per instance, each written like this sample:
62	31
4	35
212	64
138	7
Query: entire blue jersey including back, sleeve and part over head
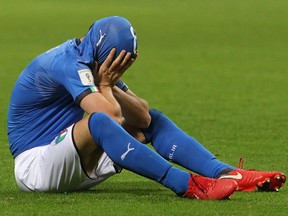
46	96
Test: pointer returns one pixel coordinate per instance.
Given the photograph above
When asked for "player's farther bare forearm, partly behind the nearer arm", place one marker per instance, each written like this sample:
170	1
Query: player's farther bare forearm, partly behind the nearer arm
135	110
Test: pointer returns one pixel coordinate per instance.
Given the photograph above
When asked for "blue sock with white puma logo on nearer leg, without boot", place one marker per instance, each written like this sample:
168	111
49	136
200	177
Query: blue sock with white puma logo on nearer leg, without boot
132	155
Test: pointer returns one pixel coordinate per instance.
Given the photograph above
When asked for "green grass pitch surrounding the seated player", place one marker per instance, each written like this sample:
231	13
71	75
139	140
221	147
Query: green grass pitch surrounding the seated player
217	68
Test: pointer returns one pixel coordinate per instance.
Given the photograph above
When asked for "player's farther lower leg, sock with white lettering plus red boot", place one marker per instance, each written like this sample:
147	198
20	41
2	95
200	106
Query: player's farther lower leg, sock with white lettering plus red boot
175	145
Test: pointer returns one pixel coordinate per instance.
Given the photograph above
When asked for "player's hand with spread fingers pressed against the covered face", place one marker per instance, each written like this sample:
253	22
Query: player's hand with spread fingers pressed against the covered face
111	70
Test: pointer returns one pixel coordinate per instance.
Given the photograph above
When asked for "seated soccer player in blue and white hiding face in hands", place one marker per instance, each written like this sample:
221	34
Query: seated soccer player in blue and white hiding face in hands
57	148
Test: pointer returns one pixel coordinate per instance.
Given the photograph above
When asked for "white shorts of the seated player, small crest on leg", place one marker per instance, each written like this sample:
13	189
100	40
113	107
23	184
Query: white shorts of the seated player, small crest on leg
57	168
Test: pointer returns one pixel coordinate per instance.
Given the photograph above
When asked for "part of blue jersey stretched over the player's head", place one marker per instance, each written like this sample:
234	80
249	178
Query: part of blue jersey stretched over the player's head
105	34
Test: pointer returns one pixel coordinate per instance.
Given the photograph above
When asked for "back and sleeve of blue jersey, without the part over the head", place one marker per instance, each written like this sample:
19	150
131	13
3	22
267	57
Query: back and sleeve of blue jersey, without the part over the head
46	95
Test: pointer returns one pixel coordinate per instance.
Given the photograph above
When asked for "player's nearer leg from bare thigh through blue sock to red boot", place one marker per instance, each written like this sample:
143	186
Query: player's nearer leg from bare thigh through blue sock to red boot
98	130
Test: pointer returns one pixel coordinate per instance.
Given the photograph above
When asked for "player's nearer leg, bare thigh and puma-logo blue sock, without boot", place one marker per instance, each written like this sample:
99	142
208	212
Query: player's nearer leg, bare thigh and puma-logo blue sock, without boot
124	150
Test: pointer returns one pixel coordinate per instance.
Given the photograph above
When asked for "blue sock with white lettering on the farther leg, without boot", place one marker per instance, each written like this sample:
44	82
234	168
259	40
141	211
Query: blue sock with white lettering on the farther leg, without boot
175	145
